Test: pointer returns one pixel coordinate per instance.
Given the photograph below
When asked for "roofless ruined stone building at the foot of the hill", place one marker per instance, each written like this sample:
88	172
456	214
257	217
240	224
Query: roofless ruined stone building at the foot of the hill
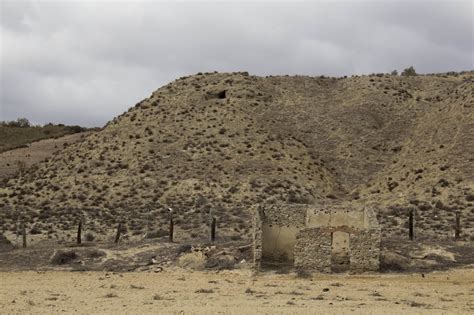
325	238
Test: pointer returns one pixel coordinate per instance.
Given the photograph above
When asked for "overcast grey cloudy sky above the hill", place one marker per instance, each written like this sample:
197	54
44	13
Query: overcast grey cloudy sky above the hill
85	62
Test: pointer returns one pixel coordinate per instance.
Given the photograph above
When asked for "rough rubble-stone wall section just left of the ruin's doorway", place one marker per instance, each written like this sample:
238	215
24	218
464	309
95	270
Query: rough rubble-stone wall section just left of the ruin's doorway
313	250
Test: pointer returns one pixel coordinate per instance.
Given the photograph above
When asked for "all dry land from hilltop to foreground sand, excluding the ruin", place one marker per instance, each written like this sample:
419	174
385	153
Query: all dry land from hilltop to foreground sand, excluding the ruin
222	143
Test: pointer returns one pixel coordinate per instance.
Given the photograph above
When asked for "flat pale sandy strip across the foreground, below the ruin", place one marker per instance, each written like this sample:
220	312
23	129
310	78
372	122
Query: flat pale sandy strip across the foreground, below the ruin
235	292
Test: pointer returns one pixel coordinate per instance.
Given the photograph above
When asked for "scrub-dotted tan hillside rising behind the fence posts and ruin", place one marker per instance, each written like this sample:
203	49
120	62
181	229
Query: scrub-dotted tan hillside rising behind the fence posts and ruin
225	141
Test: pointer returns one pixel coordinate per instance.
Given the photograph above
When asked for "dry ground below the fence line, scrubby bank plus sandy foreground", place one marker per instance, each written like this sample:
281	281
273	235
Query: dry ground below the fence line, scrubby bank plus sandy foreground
156	276
